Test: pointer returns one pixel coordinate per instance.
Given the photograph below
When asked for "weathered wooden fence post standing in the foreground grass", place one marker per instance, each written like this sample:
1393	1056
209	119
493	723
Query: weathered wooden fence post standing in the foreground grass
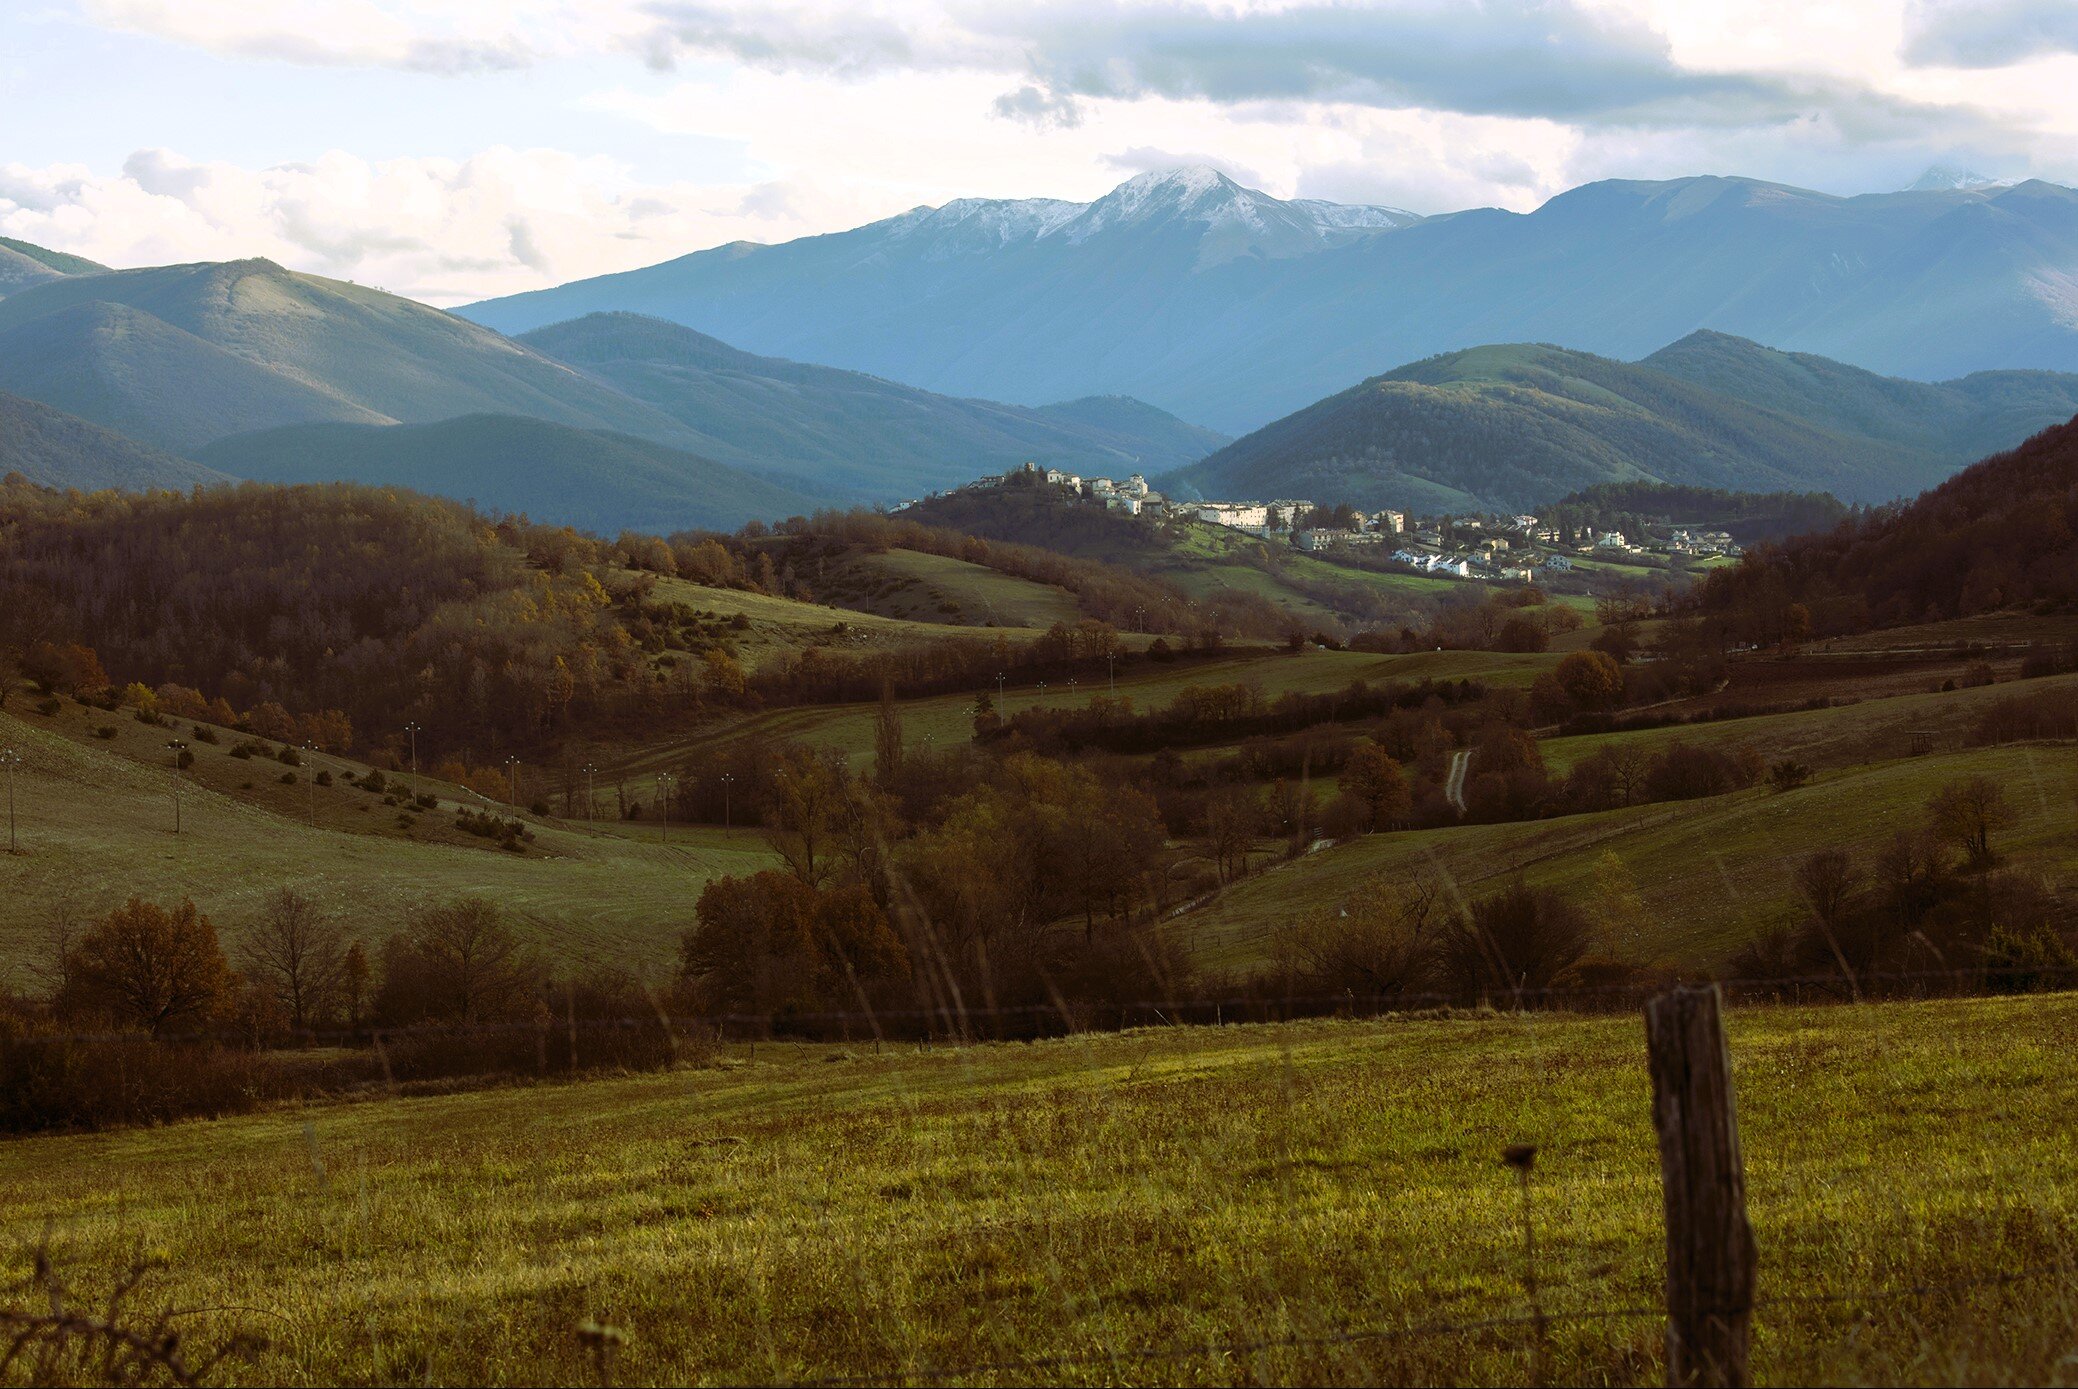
1709	1242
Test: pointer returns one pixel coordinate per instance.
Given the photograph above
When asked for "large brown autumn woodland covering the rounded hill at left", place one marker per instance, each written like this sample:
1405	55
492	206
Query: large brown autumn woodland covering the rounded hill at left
381	606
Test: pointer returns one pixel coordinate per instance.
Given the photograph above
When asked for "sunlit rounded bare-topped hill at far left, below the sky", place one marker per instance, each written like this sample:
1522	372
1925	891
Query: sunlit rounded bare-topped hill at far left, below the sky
292	338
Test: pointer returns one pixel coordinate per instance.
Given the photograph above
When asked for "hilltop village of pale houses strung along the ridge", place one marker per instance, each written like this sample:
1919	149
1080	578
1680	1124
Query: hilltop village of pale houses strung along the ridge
1476	546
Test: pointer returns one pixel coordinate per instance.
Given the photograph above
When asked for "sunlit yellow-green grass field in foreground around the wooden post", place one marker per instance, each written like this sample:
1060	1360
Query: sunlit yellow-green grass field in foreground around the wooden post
870	1217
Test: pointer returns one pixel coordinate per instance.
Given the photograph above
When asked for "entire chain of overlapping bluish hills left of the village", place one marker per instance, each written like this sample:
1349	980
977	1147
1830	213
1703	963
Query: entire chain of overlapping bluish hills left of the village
184	359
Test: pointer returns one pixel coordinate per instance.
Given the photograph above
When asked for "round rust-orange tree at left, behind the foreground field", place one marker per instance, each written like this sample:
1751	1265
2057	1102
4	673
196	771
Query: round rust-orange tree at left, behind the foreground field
151	966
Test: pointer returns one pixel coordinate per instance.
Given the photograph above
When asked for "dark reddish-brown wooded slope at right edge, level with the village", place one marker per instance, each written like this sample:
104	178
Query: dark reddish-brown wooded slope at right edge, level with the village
1998	535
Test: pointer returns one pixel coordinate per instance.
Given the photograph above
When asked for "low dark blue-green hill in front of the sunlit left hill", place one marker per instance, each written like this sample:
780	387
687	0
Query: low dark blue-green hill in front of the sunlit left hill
591	479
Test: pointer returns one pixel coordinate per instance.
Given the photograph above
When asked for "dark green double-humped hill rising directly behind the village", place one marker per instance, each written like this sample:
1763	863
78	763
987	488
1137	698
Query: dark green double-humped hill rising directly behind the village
1522	425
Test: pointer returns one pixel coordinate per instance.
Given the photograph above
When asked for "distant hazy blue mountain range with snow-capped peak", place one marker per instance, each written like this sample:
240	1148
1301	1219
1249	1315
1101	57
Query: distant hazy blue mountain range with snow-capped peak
1233	309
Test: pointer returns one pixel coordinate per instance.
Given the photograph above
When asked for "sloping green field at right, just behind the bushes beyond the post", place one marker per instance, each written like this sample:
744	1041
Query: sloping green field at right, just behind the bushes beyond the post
1713	874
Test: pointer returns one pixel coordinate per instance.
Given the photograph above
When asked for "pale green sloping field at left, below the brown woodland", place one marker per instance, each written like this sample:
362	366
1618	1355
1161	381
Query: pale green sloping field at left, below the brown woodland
97	829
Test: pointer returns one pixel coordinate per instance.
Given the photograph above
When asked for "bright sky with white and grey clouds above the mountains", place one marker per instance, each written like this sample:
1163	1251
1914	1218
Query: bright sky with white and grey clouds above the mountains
456	151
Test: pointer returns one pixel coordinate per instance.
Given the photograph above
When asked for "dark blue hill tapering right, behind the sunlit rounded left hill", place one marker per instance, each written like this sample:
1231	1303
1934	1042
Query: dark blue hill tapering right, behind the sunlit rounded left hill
849	434
